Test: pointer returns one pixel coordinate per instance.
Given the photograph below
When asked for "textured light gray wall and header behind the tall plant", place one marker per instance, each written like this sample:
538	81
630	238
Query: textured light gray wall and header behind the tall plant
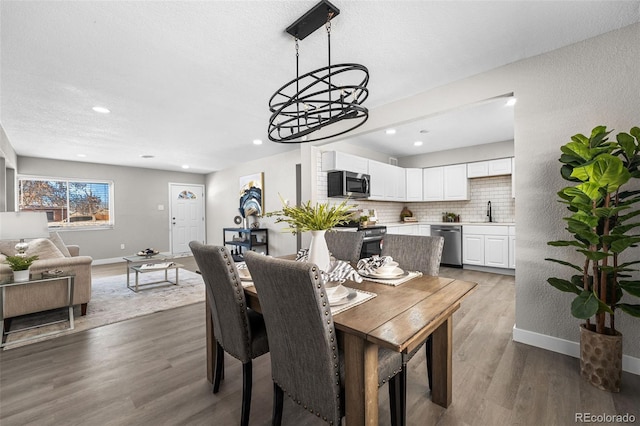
559	94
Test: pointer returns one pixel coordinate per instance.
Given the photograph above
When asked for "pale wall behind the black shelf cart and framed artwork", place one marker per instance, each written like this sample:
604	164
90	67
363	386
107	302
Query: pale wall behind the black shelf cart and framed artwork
223	198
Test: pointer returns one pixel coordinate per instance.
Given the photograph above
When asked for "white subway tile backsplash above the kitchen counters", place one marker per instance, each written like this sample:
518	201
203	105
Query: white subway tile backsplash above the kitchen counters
496	189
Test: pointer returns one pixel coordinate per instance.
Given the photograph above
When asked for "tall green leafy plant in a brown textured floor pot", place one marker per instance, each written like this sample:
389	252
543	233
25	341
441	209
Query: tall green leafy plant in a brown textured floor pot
603	223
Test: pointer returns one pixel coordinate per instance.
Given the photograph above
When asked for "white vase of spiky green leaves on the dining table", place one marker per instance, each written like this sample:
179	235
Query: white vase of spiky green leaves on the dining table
316	218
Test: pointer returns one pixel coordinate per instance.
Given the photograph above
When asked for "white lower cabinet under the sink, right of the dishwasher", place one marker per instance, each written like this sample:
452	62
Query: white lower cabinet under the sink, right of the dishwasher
486	246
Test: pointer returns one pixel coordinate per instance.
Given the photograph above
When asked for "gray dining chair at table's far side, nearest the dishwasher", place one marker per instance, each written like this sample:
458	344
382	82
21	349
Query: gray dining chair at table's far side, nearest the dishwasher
416	253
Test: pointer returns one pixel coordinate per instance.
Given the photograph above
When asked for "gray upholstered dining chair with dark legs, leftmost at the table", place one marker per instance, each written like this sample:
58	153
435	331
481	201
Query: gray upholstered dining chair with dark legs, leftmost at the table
239	331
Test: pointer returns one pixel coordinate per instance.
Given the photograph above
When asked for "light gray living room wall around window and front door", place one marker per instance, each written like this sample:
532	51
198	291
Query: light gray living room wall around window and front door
137	192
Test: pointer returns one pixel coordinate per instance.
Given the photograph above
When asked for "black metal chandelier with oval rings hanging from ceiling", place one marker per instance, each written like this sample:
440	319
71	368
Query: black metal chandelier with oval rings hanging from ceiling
322	97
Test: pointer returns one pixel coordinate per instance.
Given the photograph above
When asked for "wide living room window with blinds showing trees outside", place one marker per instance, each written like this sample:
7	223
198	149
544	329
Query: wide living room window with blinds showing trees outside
69	204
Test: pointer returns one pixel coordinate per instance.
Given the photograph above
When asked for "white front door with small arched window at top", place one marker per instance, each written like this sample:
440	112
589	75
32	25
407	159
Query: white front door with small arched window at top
187	216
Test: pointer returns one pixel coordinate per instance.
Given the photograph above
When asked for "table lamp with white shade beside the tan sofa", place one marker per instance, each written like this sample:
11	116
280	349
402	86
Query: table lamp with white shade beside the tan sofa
21	226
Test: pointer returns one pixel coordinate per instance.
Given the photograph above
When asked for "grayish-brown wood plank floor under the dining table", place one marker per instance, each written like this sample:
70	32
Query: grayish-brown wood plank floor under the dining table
151	371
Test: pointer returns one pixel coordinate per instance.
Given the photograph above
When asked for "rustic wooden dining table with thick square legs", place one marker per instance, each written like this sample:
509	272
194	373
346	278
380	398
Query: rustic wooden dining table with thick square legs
399	318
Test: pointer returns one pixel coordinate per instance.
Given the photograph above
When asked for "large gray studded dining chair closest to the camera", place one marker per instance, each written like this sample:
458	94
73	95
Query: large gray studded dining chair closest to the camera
304	346
